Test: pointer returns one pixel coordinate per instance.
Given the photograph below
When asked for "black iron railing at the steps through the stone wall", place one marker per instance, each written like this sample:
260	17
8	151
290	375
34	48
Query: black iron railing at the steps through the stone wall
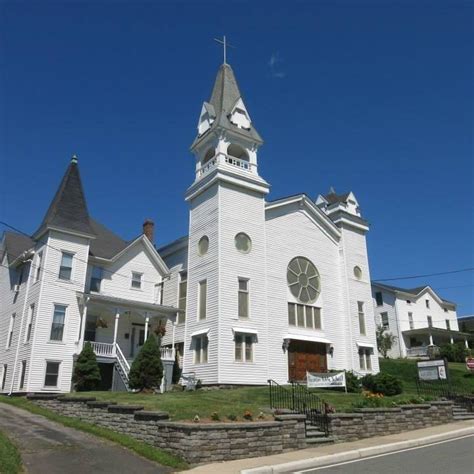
299	399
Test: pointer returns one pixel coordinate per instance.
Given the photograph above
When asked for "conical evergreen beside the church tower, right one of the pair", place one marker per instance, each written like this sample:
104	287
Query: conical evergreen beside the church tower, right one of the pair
147	370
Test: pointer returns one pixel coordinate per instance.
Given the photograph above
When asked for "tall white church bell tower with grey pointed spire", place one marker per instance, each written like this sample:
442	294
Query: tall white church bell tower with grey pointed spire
226	255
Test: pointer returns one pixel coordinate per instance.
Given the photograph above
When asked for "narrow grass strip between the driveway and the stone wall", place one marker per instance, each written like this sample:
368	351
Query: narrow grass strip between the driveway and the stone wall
145	450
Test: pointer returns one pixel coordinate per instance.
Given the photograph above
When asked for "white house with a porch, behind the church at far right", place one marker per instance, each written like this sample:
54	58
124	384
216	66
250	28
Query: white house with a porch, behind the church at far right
417	317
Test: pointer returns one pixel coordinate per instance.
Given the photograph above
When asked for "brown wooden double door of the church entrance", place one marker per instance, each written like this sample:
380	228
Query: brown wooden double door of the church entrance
305	356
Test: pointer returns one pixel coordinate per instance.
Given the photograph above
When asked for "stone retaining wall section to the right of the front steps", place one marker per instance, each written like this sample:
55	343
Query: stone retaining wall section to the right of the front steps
368	422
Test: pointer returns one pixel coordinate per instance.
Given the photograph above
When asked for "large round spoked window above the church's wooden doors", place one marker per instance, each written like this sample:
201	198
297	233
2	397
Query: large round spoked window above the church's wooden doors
303	280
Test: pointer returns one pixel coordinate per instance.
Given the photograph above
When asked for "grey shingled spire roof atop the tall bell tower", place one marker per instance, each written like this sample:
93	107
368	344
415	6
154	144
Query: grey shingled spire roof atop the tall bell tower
225	95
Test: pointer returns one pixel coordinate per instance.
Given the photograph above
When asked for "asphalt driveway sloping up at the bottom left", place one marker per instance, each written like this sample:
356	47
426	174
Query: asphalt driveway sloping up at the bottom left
48	447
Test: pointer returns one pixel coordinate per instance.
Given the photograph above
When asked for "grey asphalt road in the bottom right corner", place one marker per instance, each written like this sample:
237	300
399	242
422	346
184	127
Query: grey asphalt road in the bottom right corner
449	457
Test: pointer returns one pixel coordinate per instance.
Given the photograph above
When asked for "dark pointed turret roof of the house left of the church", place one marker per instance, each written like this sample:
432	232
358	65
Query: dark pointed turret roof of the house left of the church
68	210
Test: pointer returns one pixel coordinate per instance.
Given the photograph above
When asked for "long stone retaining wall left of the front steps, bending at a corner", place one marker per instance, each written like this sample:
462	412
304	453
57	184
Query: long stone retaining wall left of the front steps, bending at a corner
196	443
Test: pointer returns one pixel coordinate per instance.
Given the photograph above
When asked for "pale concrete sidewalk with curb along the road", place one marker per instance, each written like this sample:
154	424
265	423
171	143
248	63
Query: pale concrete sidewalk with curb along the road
329	454
